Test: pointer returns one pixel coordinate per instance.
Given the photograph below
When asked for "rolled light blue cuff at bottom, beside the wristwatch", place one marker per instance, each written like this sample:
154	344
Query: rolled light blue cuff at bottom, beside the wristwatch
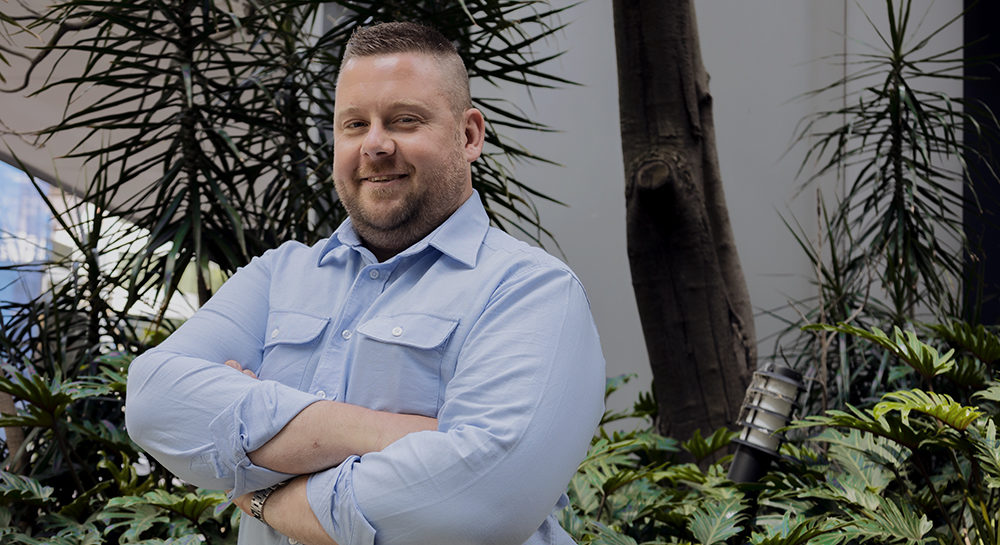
331	497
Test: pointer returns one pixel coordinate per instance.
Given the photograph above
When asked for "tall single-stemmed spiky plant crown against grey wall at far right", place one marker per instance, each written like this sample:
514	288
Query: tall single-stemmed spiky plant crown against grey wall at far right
898	137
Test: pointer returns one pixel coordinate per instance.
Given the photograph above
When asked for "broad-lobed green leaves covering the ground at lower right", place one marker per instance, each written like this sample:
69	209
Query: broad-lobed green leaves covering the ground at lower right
917	467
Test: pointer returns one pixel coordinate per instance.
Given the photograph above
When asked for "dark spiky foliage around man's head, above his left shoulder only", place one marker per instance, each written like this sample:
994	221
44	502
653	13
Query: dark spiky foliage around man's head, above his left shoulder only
211	126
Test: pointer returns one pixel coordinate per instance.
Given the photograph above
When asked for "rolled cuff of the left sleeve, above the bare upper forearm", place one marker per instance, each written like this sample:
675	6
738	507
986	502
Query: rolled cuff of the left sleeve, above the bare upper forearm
247	424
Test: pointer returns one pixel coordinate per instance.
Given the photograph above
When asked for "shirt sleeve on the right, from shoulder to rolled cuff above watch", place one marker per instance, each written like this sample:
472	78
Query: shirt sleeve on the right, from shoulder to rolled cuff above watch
517	418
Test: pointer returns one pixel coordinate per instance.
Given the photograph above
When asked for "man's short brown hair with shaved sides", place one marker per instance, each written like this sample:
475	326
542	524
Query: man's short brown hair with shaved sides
408	37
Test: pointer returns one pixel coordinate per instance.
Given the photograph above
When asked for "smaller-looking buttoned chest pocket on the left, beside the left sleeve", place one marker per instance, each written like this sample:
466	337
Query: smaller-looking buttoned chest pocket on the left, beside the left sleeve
292	347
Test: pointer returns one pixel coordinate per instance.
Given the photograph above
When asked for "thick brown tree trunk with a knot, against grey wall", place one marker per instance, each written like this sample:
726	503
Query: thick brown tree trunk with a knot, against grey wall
692	298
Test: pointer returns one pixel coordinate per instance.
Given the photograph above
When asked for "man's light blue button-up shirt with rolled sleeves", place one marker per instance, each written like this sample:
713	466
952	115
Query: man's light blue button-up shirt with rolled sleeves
492	337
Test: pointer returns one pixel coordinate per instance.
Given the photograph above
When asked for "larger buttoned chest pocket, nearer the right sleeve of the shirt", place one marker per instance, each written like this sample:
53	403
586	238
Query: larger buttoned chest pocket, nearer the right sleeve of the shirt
397	364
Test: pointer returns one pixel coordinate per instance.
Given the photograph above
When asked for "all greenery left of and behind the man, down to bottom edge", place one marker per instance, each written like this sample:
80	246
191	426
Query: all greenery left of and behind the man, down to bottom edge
205	128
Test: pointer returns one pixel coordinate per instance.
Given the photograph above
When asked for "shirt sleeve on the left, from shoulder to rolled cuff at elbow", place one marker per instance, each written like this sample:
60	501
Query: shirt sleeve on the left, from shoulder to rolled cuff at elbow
200	418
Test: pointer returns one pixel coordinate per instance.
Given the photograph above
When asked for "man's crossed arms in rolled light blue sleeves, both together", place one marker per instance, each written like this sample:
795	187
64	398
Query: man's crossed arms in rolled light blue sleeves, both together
517	417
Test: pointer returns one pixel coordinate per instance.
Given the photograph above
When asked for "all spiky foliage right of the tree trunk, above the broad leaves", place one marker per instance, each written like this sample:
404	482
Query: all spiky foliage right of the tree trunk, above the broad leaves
891	245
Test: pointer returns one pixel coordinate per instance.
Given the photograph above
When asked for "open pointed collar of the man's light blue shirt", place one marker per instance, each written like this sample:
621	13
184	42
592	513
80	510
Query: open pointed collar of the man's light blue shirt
459	237
